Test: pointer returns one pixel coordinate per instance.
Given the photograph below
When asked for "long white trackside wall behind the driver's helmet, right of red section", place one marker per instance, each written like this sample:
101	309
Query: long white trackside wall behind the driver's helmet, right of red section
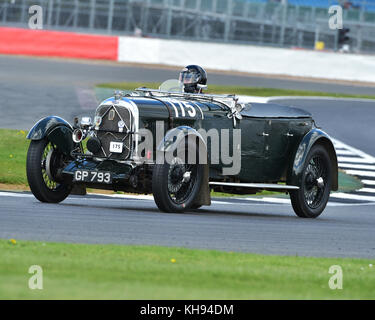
252	59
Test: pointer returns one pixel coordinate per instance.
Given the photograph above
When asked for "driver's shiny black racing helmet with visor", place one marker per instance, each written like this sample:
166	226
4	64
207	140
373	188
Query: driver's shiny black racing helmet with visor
193	78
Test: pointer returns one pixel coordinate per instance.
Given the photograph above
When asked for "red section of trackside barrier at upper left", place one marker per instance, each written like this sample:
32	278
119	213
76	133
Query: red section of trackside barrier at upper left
57	44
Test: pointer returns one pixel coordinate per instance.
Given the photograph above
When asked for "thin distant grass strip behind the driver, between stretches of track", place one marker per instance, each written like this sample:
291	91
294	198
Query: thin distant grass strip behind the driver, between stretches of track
239	90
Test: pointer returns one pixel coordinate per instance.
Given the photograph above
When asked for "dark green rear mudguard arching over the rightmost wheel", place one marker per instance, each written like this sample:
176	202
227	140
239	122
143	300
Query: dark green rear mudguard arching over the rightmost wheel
315	136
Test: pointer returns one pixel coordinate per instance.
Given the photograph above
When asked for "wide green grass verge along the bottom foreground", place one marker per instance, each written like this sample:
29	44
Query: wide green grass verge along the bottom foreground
72	271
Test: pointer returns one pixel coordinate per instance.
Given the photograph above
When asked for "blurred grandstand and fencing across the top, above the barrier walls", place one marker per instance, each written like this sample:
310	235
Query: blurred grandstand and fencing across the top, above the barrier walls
278	23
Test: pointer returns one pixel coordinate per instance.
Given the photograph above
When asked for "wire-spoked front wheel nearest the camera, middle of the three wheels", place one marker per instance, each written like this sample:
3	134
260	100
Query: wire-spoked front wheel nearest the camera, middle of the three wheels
176	185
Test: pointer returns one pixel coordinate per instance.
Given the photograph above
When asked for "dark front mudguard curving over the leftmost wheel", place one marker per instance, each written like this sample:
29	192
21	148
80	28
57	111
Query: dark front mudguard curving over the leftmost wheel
56	130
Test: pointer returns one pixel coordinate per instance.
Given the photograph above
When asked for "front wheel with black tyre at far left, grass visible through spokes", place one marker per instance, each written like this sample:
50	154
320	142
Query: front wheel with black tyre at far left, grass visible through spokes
43	162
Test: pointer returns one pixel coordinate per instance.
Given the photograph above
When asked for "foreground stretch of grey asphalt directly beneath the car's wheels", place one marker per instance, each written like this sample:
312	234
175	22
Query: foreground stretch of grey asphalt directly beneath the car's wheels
234	225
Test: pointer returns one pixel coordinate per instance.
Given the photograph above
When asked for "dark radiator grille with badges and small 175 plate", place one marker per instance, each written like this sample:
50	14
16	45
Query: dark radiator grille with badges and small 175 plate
109	131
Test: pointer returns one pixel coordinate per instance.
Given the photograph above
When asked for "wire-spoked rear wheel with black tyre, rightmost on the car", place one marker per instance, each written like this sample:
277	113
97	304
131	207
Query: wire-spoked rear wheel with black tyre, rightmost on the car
312	197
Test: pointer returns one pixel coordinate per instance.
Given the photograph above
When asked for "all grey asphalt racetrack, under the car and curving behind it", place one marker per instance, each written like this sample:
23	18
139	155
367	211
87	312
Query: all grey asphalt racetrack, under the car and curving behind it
32	88
